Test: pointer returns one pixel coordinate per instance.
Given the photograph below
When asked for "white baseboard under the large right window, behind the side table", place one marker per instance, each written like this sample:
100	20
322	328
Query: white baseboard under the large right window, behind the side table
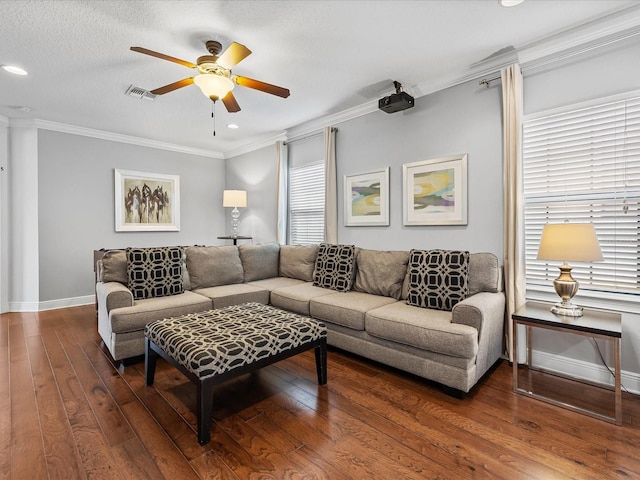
585	370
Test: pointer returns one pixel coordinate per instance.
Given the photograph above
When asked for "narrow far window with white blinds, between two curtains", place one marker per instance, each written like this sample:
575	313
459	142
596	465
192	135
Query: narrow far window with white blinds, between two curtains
306	204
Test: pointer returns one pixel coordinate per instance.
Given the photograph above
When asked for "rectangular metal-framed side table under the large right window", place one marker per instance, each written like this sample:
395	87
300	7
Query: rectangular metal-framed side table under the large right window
557	388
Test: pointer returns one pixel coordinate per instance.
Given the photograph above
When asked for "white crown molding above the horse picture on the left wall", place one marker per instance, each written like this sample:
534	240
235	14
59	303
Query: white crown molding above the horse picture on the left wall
114	137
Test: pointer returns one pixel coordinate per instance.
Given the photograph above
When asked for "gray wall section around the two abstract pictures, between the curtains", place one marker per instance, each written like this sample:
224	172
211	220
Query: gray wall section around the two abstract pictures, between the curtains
461	119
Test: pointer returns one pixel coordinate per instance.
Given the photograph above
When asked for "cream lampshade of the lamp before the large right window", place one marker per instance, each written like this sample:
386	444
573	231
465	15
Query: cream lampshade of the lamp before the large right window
569	242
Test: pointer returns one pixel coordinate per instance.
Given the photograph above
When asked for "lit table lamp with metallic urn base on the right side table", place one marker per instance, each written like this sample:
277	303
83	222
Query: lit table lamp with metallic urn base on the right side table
575	242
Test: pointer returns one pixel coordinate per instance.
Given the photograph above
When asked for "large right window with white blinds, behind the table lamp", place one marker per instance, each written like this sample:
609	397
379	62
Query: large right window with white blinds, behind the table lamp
582	164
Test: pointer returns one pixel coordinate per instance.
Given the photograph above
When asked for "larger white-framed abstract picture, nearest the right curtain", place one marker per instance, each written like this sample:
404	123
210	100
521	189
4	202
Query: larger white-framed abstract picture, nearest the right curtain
435	191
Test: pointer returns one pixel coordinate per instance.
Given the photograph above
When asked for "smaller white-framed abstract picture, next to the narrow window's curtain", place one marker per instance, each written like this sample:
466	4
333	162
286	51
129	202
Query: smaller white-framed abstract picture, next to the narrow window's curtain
366	199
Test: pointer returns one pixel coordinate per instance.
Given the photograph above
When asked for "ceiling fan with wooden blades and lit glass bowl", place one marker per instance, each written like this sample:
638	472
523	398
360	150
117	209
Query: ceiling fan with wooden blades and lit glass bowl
214	74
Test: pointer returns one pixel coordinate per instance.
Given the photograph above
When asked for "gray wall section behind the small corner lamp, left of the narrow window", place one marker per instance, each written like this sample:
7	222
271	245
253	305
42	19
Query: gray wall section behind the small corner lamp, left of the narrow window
255	172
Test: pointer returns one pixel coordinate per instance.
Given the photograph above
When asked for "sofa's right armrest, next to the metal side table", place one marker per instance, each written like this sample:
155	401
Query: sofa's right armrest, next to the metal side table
485	312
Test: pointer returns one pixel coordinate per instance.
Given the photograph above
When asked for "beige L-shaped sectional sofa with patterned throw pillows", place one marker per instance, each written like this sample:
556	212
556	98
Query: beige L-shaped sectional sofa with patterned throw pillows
437	314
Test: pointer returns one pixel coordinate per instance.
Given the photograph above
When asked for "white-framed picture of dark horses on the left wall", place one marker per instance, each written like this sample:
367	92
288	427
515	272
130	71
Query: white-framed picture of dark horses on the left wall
146	201
